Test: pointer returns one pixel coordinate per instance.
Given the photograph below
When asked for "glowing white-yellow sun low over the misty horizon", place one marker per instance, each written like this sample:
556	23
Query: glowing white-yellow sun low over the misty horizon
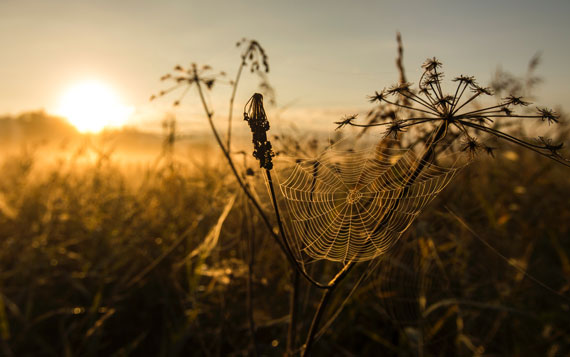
91	106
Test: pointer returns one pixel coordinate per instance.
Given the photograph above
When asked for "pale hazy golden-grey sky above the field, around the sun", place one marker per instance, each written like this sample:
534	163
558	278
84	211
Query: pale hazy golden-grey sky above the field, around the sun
325	56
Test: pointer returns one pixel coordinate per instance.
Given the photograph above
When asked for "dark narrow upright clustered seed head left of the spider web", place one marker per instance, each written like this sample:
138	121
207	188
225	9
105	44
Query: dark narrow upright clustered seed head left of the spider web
254	114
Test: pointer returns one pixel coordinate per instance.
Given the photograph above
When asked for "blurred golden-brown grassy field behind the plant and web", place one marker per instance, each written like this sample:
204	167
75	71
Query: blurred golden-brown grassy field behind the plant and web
105	256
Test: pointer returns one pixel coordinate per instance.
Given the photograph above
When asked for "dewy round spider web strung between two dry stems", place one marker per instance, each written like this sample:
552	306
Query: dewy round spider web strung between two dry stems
353	205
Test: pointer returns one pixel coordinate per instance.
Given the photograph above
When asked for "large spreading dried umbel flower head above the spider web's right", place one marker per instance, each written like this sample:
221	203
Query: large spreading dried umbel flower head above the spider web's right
429	105
